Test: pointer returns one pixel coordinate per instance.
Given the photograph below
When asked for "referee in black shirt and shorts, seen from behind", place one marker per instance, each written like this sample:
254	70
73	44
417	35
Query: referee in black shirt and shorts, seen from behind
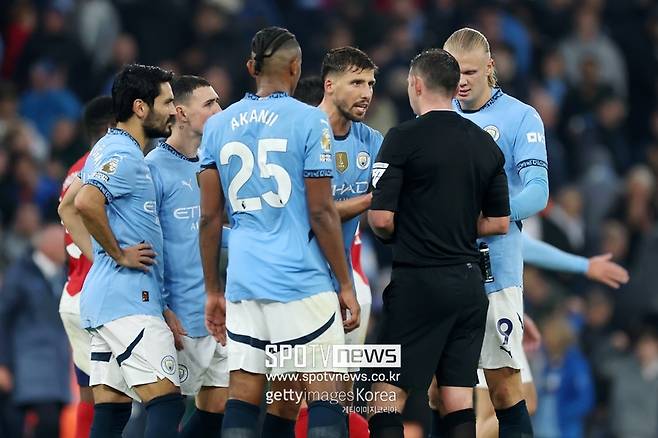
439	184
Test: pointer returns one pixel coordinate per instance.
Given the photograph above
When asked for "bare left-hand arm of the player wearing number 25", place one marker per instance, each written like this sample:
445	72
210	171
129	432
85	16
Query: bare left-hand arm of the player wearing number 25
210	236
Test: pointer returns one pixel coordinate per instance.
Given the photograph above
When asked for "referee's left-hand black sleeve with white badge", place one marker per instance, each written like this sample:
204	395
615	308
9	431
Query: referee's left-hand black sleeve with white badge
388	172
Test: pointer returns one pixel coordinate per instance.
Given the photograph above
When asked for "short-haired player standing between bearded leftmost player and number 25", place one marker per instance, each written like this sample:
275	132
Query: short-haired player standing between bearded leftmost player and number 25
174	166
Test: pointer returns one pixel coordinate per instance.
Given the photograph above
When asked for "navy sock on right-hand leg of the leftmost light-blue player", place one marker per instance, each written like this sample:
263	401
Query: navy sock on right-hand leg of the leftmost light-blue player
163	415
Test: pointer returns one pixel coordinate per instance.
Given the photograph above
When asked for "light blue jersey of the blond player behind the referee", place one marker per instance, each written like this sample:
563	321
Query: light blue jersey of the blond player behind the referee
519	132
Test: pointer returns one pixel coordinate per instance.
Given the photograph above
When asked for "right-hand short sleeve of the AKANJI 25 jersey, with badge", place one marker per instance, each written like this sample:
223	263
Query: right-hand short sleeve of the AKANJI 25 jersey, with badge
318	160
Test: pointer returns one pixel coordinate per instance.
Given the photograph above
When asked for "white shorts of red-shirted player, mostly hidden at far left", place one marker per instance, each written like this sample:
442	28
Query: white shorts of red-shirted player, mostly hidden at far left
79	338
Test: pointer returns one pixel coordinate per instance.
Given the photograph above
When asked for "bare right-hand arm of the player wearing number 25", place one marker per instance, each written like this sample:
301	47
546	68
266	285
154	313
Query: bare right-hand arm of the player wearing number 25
325	224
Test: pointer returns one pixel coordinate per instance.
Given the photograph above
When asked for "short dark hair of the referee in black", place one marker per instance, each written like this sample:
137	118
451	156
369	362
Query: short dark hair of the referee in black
438	68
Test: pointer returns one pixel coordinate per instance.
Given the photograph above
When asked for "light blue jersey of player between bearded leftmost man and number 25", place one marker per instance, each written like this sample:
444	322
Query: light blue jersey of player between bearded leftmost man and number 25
177	196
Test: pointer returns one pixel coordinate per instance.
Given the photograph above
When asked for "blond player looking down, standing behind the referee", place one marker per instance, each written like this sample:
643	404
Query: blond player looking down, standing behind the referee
519	132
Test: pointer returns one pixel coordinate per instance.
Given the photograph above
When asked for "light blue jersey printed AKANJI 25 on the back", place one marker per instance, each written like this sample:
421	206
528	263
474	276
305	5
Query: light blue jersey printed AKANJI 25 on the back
264	148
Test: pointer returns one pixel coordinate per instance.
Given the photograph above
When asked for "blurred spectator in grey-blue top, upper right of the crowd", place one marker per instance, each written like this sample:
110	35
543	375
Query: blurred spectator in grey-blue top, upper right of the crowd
588	40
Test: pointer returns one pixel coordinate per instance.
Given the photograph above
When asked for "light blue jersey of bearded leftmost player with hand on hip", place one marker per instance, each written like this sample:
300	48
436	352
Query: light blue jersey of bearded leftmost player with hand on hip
117	168
